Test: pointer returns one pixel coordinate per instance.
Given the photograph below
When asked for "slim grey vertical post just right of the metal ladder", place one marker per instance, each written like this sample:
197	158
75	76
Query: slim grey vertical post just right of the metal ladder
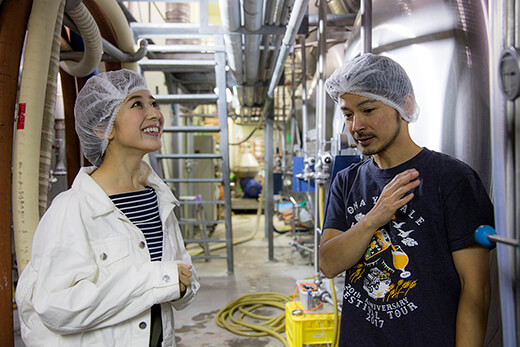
268	181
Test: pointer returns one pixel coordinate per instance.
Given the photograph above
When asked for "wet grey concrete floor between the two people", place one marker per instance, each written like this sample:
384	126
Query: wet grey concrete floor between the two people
253	273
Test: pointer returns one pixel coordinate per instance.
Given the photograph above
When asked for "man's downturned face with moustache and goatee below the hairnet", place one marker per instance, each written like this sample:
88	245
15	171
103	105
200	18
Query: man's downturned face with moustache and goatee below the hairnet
374	126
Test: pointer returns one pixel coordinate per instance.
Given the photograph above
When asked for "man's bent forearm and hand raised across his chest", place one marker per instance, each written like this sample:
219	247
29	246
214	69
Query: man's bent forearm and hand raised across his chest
339	250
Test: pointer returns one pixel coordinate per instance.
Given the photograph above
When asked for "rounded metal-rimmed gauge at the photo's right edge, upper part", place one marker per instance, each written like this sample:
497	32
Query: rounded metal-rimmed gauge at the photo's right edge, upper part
510	72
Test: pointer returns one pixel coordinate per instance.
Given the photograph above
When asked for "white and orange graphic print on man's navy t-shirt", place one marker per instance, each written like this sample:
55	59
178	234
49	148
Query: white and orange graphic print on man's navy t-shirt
381	282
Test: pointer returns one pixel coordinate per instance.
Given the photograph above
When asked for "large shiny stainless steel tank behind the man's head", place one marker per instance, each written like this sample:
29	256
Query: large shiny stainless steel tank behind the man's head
443	46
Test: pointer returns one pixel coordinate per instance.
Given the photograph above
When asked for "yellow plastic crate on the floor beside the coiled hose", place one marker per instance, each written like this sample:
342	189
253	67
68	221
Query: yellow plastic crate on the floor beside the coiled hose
308	328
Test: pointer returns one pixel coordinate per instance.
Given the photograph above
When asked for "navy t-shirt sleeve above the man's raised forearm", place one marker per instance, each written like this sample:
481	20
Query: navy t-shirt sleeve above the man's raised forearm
335	217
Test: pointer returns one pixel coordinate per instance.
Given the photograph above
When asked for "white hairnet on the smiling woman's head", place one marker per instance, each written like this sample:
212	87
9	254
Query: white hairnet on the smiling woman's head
97	105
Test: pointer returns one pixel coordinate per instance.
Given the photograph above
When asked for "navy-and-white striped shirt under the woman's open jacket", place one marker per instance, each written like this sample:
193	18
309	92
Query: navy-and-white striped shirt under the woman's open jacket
142	208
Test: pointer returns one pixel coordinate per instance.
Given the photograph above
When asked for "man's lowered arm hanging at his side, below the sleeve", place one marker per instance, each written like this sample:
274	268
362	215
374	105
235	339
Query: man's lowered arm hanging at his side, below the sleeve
472	265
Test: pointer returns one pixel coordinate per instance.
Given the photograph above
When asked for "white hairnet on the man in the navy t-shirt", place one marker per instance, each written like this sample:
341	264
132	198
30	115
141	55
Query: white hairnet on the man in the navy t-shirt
376	77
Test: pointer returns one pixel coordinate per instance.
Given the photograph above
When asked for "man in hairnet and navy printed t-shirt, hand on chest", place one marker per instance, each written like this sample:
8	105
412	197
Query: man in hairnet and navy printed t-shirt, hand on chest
401	223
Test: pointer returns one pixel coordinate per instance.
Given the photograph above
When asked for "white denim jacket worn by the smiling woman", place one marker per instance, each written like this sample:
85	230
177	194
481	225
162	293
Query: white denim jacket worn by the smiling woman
90	281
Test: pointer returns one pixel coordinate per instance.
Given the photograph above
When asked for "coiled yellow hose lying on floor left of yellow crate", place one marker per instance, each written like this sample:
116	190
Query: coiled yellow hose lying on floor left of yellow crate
231	317
